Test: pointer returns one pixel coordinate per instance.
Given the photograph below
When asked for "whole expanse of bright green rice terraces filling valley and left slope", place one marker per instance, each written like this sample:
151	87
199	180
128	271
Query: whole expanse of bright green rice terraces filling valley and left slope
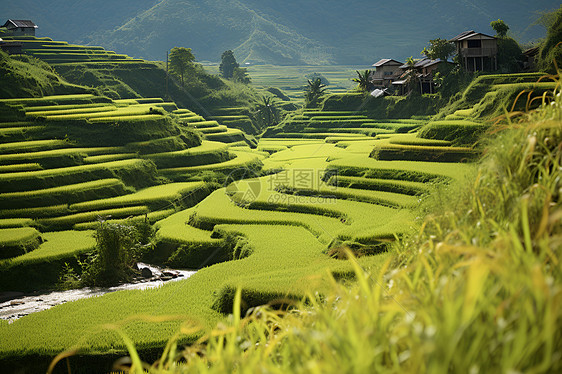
321	181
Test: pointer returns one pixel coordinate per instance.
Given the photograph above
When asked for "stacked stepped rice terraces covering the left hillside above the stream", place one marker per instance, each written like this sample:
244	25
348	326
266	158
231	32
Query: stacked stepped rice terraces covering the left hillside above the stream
68	161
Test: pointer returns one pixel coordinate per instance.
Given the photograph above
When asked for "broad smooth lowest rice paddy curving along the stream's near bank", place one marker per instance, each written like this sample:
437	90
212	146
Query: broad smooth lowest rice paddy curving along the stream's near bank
275	268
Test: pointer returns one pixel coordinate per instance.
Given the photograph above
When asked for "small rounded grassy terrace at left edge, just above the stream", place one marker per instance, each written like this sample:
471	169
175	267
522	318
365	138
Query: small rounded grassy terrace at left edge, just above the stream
18	240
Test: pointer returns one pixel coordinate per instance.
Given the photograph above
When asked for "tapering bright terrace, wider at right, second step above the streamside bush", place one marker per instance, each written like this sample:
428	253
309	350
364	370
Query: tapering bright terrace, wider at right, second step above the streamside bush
158	197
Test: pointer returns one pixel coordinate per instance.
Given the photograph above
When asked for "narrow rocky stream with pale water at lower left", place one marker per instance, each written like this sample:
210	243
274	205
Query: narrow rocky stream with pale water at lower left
14	305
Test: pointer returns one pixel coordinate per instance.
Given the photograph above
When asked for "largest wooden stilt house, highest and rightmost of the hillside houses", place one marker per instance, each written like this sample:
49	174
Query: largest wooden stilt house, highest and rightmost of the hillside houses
477	51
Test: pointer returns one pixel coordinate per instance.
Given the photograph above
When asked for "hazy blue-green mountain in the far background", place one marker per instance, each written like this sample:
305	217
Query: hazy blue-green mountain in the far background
269	31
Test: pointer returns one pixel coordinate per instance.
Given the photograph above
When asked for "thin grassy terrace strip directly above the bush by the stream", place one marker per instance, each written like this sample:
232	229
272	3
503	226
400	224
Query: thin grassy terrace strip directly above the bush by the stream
68	221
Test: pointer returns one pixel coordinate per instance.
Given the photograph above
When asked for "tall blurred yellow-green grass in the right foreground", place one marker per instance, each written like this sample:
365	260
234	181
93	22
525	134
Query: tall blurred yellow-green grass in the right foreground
478	289
